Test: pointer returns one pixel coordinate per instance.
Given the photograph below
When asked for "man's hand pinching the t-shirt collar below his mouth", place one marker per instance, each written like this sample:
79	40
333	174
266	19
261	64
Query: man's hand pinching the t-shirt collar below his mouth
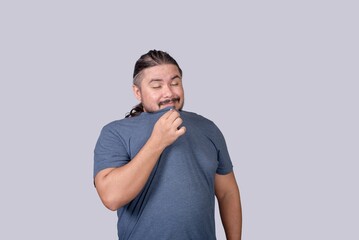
167	129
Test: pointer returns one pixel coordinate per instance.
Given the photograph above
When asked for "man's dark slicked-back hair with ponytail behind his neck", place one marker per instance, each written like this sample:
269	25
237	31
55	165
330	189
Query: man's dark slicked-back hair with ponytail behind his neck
151	59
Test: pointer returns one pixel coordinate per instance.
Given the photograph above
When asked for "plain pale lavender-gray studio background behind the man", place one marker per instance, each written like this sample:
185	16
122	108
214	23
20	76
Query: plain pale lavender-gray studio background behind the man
280	78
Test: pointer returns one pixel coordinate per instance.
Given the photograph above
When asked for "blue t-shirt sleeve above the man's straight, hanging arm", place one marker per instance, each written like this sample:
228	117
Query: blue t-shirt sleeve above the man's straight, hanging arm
225	165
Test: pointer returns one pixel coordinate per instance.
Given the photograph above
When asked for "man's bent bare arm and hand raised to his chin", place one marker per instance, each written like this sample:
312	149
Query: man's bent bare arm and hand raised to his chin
118	186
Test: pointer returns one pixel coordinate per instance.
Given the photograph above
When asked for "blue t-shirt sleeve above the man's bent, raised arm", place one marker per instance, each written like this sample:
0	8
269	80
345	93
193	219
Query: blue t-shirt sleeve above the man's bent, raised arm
110	150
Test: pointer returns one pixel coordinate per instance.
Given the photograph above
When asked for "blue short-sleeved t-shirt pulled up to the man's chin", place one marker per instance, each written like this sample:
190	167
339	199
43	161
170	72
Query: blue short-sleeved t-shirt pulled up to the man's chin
177	201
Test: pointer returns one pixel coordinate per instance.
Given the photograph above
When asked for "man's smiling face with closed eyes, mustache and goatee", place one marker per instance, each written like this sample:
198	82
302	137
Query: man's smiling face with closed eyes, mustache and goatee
161	86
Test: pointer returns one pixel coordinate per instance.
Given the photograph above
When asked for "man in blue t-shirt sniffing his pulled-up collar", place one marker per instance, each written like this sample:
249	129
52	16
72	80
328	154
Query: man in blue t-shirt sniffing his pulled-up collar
161	167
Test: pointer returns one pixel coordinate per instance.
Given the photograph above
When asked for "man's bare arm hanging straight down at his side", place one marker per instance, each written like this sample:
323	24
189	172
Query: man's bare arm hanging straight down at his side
229	202
